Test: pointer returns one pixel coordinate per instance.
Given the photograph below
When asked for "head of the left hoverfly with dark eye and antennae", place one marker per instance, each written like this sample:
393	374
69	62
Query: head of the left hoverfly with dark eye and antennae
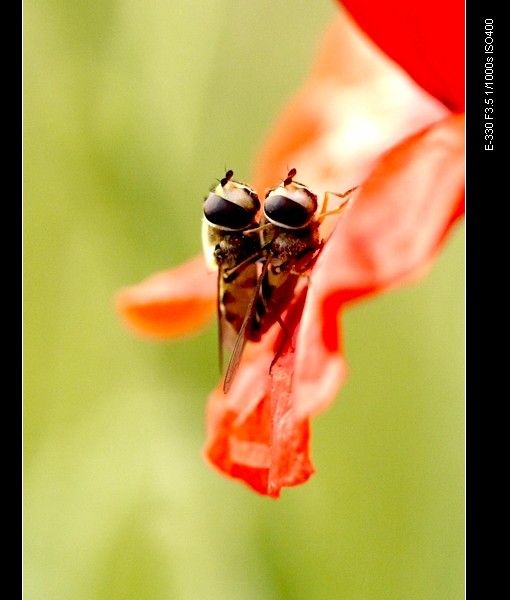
231	205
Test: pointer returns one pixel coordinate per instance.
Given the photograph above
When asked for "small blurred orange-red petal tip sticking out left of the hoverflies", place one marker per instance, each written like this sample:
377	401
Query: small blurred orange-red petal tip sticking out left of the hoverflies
172	303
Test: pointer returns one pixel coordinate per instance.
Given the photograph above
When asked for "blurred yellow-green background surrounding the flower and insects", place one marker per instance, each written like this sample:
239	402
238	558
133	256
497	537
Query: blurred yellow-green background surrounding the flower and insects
132	109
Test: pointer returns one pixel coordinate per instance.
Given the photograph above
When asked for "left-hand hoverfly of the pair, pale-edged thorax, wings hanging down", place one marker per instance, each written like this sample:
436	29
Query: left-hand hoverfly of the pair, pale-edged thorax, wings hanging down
230	210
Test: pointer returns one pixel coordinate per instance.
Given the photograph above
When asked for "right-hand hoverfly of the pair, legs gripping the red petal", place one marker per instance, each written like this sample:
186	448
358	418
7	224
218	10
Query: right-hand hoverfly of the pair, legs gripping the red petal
290	243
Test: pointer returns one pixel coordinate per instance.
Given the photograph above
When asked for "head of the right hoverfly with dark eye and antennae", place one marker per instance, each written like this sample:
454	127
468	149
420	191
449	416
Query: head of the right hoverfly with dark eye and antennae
291	204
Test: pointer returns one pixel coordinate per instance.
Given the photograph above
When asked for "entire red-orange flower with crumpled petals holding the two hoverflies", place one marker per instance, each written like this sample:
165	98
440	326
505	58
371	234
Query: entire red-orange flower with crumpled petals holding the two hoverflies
358	120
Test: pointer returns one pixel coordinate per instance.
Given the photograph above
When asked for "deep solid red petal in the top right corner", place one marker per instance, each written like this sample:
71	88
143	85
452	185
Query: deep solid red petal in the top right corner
426	39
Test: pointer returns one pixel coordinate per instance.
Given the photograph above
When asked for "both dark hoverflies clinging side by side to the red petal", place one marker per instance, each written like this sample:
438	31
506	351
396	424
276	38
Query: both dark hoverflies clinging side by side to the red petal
259	255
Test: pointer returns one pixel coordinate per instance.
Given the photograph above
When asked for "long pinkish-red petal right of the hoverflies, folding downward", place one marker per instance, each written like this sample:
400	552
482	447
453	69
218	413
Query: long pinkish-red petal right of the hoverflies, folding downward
389	235
